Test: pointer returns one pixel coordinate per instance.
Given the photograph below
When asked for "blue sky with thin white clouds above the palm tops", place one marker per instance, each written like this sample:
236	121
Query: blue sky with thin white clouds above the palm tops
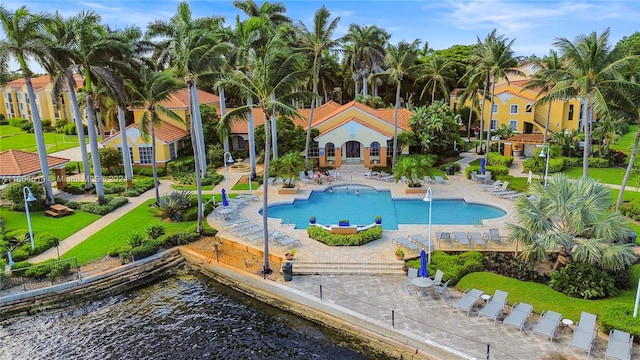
442	23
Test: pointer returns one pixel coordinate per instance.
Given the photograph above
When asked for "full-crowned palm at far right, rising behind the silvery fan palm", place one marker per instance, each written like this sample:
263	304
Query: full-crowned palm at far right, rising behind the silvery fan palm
589	71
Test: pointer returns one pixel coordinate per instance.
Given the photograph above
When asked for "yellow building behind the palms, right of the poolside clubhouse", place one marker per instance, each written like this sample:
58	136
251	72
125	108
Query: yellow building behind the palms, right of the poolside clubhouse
514	107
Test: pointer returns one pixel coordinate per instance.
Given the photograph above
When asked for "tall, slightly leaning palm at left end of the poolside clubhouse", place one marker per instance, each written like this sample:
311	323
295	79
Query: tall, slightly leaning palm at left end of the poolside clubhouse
315	44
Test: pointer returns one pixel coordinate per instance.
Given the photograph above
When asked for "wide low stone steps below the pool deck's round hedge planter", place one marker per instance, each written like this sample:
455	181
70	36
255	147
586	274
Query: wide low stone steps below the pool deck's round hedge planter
347	268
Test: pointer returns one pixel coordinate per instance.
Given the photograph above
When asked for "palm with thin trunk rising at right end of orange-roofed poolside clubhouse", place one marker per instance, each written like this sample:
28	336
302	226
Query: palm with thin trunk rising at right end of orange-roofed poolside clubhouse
400	61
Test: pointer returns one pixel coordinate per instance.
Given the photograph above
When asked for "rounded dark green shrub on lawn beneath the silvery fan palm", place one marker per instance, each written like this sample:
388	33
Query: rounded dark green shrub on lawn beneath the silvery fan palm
582	281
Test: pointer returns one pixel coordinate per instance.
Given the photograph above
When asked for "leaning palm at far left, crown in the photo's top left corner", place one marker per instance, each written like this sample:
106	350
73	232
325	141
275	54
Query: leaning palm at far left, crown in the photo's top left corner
25	40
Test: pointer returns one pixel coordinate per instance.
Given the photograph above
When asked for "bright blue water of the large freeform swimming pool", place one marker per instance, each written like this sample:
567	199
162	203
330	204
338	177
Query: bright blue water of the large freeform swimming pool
361	209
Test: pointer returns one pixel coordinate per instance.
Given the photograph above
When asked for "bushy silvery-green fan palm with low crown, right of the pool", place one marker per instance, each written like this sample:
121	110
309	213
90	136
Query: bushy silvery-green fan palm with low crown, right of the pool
573	218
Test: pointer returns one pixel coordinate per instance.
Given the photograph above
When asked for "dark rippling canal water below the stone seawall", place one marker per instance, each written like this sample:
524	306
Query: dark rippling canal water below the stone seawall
183	317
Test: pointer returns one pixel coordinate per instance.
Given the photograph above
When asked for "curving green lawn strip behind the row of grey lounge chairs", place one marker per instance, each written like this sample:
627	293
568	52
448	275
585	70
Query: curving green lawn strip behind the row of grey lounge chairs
543	297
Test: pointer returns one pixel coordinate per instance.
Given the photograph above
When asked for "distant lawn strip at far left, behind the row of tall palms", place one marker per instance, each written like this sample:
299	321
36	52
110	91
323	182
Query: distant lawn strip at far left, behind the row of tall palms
15	138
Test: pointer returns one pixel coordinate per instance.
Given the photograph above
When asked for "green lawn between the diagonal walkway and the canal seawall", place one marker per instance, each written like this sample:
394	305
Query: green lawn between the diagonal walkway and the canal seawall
116	234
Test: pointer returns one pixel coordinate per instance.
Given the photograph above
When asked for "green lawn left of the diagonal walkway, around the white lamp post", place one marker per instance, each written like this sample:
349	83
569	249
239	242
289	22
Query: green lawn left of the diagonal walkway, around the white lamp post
61	228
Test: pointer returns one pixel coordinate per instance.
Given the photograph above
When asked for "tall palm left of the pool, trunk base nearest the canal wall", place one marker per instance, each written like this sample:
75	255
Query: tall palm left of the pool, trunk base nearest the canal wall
272	78
